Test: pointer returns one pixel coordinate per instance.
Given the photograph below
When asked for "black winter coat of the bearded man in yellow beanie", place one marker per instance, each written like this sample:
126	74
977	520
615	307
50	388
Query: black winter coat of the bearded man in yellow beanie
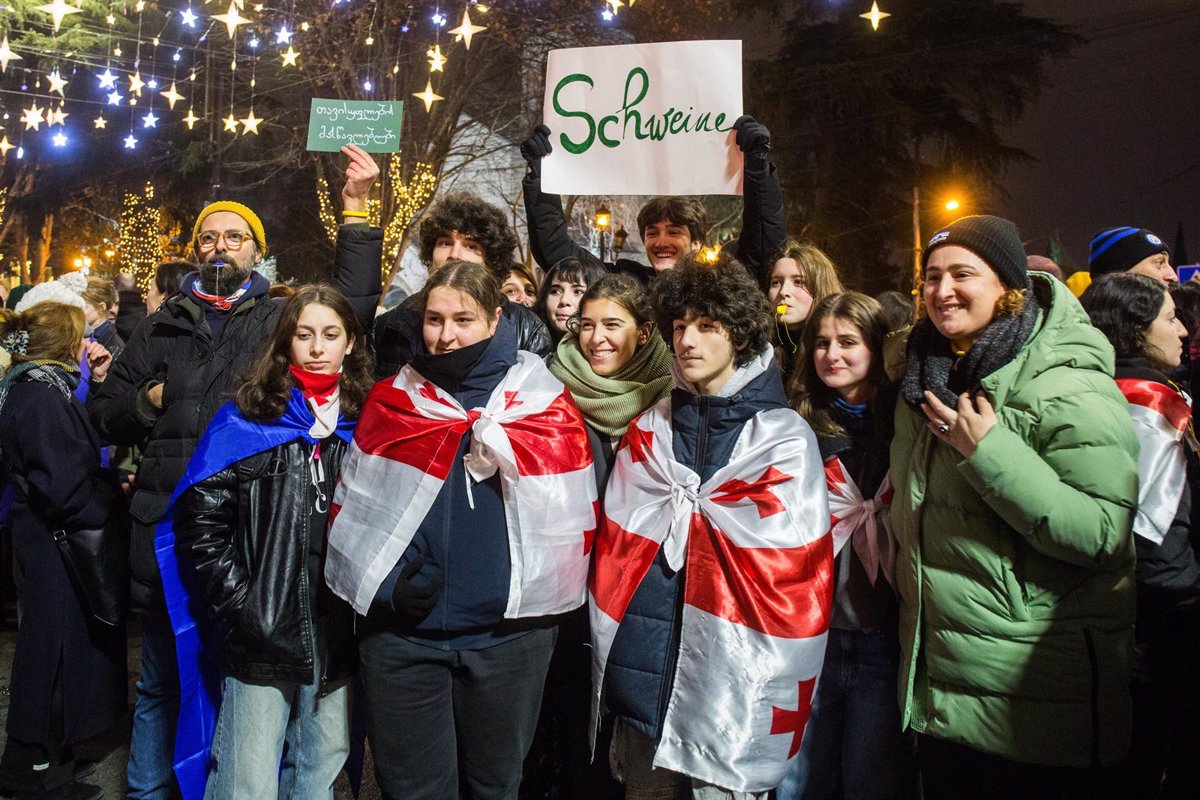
176	346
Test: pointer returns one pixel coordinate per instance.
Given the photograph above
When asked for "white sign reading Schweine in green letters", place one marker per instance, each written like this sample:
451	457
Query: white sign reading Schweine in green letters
644	119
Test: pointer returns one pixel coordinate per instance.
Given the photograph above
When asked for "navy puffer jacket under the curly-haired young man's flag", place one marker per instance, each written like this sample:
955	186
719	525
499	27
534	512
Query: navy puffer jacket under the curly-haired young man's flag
641	664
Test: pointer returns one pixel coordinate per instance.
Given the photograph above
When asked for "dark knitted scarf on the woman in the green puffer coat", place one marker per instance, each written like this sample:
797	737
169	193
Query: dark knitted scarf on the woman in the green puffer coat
934	368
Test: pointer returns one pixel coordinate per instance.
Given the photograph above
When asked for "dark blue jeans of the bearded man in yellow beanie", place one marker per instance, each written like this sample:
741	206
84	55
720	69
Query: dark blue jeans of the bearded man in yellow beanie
155	714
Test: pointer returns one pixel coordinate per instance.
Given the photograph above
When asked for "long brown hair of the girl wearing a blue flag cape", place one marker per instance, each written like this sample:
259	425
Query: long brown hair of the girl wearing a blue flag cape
268	384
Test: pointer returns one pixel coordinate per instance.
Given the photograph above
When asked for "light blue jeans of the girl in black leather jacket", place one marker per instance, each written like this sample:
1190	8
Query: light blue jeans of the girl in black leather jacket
256	721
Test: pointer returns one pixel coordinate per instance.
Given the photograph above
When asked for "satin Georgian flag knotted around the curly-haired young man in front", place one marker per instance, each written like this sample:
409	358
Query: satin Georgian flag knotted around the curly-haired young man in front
758	557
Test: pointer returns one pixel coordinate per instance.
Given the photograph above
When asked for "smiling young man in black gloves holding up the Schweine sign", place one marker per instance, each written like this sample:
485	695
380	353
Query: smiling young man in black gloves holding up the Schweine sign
671	227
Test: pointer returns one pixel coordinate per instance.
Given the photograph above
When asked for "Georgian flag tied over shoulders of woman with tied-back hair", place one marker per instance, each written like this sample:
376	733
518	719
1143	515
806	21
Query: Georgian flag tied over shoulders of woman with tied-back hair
407	438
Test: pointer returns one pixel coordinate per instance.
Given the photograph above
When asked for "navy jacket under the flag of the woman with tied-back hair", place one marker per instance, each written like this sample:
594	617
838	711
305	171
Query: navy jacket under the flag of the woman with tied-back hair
464	549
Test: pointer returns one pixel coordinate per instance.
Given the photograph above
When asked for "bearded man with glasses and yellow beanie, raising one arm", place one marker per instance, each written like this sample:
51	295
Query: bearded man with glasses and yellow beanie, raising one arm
181	366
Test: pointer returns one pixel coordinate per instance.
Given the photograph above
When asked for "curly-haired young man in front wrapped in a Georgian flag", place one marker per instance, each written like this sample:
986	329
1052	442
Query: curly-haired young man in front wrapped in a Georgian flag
710	594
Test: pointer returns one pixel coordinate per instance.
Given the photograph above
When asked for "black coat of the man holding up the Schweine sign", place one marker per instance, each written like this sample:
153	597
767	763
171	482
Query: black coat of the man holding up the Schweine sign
764	226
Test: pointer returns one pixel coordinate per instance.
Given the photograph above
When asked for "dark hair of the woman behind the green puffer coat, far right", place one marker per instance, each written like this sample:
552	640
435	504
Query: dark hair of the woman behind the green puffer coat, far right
1124	306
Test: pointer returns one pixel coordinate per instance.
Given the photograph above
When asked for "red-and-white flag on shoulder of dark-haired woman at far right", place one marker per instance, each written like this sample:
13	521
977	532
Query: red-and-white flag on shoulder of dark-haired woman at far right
1162	420
